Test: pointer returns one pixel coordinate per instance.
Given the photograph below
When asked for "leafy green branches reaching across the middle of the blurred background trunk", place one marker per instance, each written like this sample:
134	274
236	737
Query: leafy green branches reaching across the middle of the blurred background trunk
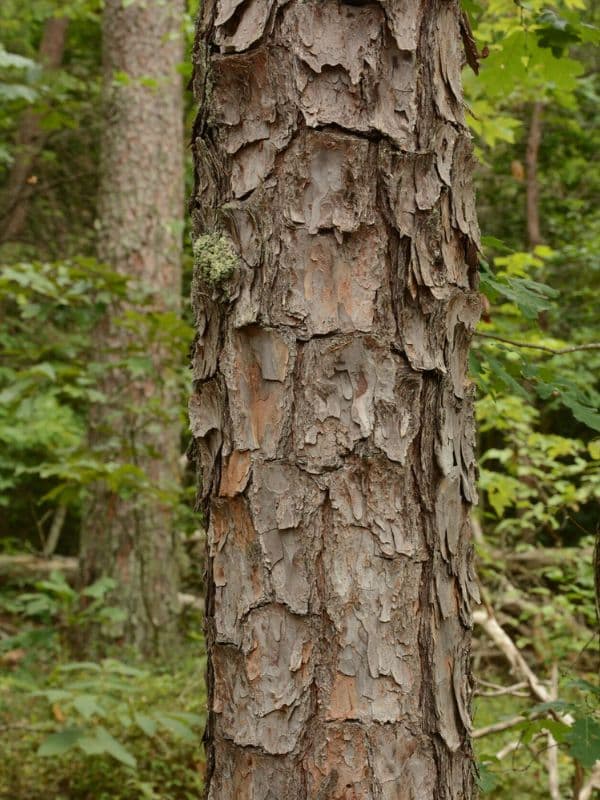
50	374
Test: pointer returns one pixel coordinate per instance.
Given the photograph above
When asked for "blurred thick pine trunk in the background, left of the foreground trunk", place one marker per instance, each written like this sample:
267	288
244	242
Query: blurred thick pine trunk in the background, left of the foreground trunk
131	538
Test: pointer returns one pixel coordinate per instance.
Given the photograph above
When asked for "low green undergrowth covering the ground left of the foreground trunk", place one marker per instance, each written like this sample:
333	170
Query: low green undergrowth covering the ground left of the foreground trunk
117	726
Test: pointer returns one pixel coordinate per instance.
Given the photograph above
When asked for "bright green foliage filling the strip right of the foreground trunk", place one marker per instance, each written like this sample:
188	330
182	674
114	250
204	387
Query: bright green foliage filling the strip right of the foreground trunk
535	362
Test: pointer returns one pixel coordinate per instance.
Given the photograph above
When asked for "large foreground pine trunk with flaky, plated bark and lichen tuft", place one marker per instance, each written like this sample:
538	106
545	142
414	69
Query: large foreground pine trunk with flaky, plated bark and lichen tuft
335	298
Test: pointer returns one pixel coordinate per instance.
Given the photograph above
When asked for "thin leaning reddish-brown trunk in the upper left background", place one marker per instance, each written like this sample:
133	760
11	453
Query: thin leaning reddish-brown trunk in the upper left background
30	139
